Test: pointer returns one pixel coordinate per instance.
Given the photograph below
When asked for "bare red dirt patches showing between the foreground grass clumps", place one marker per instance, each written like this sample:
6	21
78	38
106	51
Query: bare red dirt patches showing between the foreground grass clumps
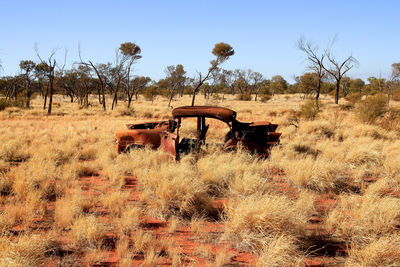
187	241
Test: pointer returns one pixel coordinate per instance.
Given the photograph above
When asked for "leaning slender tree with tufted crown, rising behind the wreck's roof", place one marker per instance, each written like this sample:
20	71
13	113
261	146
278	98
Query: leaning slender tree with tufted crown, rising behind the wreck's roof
222	51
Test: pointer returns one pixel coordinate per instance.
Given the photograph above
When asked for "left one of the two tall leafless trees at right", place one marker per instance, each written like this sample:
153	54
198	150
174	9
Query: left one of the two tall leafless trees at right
315	62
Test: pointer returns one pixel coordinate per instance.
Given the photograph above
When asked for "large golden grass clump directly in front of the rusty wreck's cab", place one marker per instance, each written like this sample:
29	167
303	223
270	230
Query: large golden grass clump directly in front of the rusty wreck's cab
173	188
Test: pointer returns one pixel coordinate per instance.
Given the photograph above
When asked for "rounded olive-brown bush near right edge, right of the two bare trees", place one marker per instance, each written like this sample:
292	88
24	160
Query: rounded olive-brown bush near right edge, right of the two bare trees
372	108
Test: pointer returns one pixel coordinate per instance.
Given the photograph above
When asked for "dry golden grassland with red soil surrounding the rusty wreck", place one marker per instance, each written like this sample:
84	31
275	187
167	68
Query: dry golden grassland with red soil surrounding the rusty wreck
329	194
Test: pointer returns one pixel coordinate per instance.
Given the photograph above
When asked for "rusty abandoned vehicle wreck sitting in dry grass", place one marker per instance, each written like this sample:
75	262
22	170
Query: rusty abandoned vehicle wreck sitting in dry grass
256	137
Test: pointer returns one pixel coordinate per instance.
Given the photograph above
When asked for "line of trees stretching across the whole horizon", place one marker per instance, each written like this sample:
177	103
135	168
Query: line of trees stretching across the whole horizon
45	77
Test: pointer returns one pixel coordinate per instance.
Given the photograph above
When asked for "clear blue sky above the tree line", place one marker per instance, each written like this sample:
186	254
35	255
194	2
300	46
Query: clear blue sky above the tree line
170	32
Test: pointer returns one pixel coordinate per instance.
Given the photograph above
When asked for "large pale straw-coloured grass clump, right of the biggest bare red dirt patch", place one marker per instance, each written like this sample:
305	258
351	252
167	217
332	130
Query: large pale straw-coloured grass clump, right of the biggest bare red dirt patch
250	220
